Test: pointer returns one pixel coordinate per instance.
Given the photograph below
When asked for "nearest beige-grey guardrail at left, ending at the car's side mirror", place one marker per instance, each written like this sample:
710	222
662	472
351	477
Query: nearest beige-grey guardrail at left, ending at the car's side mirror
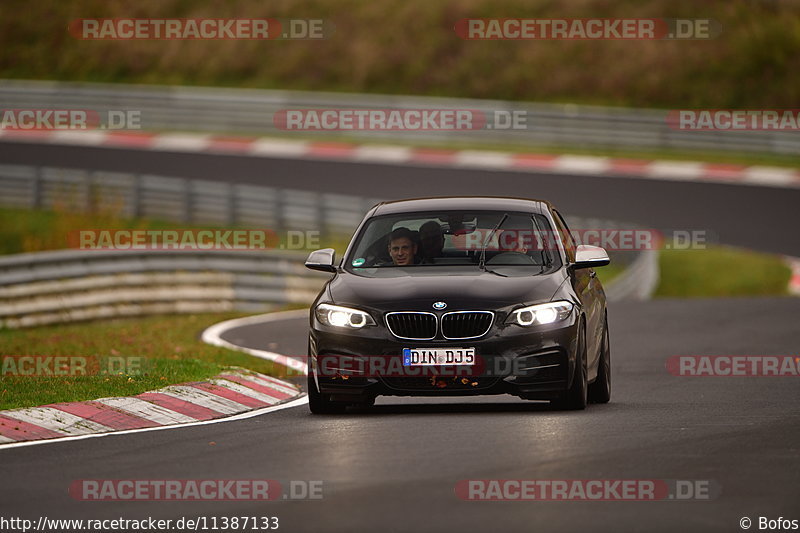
69	285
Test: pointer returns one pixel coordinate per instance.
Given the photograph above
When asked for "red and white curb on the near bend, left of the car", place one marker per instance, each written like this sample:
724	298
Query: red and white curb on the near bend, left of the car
234	392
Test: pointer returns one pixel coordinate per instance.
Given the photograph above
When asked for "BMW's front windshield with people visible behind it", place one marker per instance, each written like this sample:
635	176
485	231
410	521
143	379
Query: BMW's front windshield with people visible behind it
454	240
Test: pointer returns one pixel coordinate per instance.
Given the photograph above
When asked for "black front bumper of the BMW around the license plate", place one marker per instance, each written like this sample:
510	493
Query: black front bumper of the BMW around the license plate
535	362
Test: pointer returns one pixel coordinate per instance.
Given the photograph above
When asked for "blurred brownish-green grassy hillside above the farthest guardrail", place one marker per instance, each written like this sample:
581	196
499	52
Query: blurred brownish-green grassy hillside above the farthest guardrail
410	47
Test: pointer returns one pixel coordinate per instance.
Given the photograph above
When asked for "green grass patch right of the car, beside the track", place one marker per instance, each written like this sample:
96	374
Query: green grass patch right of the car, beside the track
721	271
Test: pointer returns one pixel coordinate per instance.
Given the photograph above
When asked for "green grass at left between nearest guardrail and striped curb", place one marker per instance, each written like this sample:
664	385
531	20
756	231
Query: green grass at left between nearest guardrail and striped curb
169	346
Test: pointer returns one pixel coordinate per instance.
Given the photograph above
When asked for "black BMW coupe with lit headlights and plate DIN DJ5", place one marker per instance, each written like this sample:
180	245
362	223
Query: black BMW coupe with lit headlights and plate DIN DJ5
460	296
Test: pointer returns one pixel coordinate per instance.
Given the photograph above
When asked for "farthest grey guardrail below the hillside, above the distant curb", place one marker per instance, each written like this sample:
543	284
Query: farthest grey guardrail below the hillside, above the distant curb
251	111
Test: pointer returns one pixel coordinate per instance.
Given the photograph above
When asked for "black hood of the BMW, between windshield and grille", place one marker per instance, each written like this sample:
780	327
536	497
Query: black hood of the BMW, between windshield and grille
419	292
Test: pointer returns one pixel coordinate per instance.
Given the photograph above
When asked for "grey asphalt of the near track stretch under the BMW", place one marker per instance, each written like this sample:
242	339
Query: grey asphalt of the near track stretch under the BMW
395	468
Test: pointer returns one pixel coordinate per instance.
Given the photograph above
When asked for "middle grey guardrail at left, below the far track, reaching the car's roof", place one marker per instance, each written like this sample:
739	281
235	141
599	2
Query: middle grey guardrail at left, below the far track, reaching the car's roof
183	200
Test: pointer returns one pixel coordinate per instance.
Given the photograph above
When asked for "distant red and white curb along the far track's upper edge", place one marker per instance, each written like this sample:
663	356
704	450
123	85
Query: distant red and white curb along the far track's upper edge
403	155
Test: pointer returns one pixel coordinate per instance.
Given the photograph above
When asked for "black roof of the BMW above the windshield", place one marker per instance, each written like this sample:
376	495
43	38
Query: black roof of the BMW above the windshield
451	203
